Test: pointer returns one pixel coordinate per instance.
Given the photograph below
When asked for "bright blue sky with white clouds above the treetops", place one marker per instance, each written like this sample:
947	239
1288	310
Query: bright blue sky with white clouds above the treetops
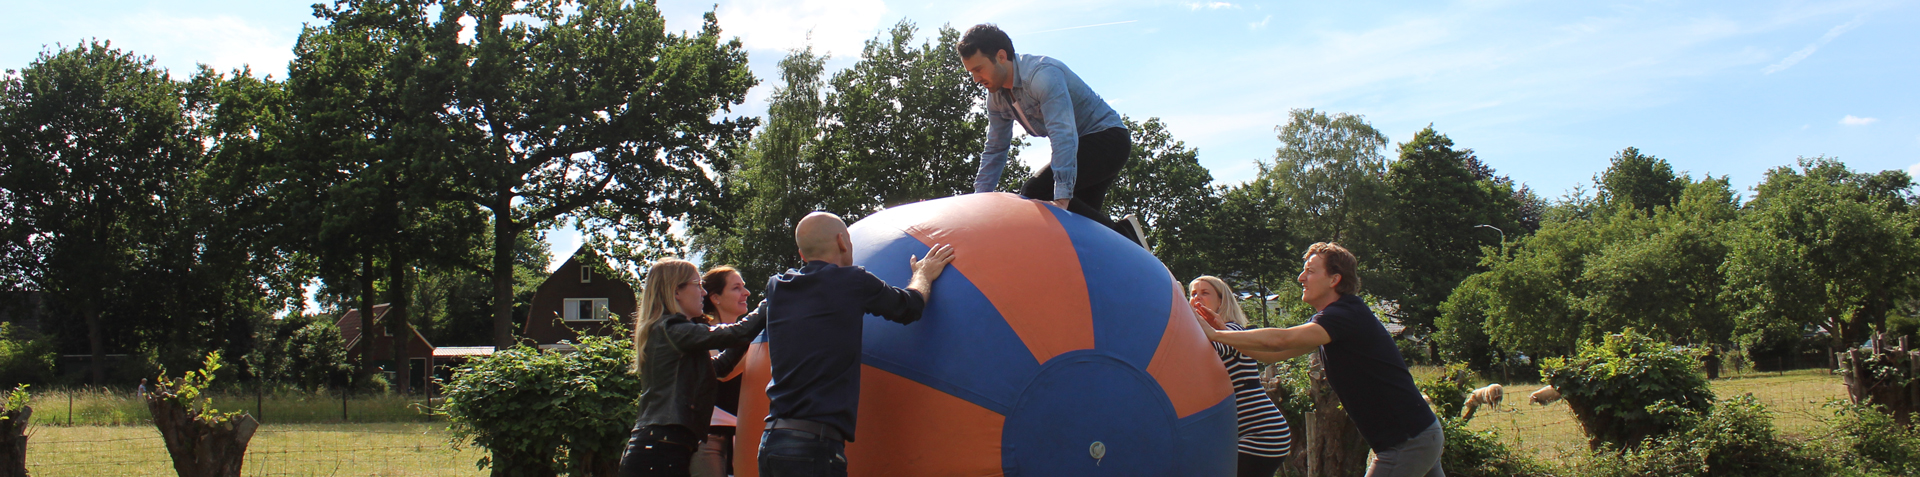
1541	91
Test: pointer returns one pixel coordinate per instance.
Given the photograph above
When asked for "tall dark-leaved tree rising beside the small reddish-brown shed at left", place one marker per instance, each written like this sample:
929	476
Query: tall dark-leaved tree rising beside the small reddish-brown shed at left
375	155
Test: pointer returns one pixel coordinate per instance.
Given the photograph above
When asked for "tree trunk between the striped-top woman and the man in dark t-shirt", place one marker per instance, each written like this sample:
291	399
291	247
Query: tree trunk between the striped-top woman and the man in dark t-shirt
1335	447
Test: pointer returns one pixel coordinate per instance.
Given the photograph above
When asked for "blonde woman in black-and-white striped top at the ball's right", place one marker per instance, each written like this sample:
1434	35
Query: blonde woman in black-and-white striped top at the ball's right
1264	432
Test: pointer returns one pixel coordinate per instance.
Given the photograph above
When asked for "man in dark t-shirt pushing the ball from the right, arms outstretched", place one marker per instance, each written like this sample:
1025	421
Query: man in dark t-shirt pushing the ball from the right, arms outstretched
1362	364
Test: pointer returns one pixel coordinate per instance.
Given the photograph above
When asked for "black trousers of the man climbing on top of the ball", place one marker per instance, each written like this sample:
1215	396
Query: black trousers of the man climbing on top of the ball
1101	157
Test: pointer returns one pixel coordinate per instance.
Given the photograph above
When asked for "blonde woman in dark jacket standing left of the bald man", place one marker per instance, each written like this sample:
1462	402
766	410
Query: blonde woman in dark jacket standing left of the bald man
671	355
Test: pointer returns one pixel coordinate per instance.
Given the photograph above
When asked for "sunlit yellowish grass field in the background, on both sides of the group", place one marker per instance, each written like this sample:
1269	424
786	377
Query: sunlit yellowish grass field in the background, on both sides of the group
322	445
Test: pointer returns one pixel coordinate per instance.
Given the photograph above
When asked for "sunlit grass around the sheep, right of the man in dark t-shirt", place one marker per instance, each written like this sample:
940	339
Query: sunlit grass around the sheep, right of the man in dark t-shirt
1554	436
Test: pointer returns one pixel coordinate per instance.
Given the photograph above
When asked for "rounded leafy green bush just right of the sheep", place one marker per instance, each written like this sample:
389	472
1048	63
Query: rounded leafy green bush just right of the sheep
1629	388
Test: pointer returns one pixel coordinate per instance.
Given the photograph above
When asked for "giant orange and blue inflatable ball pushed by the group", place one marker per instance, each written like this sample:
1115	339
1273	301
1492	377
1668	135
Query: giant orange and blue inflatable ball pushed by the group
1049	347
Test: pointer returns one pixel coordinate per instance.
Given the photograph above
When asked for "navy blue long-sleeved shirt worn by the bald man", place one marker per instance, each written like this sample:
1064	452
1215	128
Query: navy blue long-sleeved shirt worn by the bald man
813	338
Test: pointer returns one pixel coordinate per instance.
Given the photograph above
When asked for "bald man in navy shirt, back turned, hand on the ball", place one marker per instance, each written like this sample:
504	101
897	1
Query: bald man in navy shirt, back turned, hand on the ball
813	328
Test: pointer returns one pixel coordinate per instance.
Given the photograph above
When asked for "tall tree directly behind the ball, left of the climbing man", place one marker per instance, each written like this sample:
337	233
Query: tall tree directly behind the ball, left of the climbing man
898	126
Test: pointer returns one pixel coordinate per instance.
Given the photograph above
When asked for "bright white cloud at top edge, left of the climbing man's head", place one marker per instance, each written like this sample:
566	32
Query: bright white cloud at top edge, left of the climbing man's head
840	28
